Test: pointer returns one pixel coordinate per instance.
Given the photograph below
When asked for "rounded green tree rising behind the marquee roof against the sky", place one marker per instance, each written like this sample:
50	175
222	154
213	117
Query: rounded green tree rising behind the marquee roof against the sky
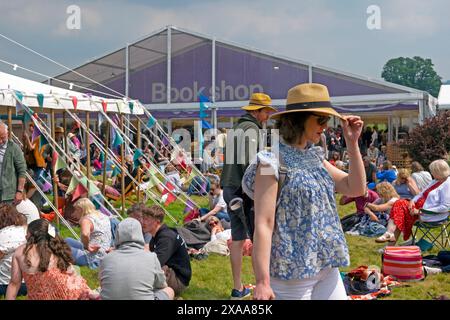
417	73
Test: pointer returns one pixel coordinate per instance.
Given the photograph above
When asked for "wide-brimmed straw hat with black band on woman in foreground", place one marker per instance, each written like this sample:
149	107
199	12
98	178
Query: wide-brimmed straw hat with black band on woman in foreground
308	97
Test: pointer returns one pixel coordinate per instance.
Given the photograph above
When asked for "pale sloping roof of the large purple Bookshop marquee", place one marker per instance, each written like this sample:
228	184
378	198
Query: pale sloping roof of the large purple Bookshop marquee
152	49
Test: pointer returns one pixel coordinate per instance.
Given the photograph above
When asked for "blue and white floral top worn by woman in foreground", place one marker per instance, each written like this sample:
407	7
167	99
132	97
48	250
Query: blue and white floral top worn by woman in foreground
307	235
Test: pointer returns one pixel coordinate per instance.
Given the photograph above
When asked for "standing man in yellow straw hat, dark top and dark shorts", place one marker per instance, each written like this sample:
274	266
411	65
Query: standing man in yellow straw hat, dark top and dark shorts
258	111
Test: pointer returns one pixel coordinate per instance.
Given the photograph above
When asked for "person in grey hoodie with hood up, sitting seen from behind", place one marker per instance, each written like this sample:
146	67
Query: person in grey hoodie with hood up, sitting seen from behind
129	272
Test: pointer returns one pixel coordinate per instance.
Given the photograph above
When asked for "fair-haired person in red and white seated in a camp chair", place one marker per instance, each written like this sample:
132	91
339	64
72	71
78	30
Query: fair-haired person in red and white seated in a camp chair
435	198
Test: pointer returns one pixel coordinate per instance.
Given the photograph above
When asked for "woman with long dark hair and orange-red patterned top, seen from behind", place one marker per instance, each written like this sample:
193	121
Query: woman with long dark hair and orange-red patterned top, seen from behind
45	262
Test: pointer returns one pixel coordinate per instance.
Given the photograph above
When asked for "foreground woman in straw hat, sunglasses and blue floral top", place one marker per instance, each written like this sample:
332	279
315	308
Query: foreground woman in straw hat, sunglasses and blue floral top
298	250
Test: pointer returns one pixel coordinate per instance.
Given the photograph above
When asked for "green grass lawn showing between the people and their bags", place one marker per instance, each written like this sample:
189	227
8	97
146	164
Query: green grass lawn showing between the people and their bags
212	279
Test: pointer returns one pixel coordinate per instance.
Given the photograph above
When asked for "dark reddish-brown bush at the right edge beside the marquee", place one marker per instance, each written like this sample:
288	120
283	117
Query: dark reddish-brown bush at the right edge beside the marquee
431	140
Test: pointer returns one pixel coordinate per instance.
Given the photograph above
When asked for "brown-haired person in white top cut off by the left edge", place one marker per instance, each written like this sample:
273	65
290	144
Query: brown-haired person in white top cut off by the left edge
13	227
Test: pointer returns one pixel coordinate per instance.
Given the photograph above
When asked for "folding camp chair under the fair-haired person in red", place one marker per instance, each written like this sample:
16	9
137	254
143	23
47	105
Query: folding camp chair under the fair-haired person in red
433	233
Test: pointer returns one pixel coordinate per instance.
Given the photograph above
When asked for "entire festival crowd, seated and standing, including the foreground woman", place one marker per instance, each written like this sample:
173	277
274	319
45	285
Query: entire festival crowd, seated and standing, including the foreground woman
283	201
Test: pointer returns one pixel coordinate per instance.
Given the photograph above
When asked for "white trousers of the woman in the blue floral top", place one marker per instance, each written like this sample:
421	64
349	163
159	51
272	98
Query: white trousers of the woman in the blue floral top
327	285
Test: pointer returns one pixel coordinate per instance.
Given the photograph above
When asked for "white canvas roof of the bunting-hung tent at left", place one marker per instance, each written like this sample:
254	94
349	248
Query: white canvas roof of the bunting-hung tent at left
55	97
